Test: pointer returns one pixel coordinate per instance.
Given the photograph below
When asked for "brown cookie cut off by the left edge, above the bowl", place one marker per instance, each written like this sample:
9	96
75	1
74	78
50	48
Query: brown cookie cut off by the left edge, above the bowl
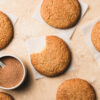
6	30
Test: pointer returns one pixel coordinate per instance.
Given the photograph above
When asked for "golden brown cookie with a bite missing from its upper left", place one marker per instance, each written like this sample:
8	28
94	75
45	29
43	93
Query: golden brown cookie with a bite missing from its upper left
54	59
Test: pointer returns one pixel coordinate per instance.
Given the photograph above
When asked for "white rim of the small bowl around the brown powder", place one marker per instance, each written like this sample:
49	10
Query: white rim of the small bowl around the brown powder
8	55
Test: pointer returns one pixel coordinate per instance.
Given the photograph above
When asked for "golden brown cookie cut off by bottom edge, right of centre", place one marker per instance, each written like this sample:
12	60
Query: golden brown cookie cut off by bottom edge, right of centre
75	89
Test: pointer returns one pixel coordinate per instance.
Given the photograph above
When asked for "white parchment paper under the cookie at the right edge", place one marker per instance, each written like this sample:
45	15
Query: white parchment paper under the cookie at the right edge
86	30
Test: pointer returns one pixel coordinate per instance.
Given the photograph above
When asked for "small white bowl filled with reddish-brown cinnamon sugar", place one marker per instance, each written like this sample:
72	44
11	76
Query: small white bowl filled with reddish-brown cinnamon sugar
13	73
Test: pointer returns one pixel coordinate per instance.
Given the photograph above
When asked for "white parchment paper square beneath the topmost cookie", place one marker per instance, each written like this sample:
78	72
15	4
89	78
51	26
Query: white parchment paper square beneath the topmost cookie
69	31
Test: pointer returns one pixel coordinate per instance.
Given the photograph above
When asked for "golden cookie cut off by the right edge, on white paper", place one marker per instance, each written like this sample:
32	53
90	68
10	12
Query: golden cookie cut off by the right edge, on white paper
95	36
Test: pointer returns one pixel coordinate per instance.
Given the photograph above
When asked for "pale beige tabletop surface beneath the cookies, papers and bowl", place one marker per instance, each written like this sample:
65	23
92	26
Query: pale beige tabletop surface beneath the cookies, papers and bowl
84	62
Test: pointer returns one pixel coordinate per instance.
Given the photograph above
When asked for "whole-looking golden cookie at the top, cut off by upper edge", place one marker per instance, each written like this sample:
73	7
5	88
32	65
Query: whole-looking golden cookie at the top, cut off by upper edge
61	13
